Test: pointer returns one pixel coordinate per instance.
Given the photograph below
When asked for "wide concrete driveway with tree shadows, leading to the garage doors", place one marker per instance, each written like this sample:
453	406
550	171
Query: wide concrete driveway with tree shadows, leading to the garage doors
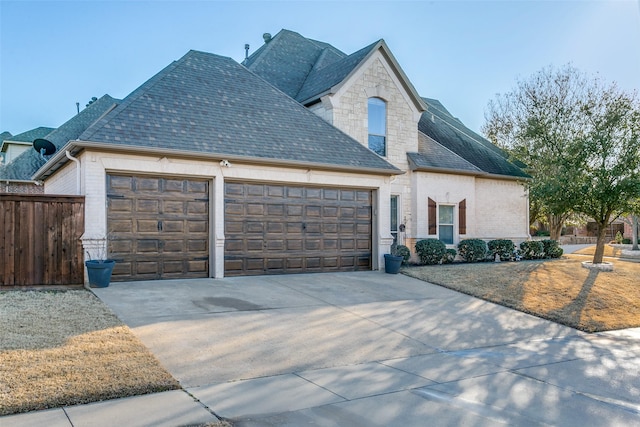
372	349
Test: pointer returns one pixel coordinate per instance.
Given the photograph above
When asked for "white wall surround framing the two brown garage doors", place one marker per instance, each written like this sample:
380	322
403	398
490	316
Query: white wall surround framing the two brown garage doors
96	165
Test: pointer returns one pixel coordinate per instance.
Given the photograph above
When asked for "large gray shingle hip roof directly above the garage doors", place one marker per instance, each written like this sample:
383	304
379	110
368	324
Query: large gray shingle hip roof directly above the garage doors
206	103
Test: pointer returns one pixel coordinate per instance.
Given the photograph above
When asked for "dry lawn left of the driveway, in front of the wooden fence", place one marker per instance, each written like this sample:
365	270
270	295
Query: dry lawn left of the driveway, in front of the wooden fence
66	348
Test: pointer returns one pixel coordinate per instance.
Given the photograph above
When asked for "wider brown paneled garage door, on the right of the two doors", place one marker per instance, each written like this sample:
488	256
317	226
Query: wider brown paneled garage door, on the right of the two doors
278	229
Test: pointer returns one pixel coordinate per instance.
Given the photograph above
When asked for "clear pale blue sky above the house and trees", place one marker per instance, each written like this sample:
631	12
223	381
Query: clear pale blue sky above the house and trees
56	53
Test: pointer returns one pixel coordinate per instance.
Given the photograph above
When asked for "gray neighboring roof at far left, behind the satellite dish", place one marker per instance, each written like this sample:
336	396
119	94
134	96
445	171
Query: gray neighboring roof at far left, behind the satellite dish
26	164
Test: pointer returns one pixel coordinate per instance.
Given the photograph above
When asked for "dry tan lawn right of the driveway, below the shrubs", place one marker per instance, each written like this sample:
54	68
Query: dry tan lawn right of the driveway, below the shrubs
559	290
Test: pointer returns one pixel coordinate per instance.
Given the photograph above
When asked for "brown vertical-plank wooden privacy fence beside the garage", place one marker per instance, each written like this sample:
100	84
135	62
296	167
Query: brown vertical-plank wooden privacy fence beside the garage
40	240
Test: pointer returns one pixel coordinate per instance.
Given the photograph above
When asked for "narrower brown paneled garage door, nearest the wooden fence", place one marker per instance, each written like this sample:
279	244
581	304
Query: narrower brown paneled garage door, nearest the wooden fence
158	227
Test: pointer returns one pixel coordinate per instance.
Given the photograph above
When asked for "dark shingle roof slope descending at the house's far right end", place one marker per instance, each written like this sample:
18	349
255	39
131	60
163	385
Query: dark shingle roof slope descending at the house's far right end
438	124
